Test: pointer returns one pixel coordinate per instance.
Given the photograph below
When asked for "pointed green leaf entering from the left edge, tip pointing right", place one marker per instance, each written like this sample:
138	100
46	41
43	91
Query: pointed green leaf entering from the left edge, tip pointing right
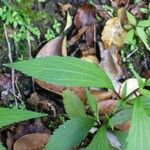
10	116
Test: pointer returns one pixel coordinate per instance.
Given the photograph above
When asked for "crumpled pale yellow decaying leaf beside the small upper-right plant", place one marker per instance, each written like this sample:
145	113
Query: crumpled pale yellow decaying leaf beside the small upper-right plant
114	33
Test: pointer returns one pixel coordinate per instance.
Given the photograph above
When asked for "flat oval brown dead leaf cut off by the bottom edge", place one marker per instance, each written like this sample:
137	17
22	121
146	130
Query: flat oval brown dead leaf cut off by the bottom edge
34	141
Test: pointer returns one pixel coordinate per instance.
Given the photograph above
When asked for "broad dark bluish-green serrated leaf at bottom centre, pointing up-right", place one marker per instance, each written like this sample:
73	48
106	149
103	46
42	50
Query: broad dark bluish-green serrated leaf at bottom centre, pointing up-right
70	134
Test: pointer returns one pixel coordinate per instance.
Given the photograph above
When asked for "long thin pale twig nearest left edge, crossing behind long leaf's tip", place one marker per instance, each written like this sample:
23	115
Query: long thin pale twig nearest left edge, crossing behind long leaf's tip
11	61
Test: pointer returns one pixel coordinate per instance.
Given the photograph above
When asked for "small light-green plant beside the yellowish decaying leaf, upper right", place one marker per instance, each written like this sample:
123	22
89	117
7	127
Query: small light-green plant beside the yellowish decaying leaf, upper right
137	30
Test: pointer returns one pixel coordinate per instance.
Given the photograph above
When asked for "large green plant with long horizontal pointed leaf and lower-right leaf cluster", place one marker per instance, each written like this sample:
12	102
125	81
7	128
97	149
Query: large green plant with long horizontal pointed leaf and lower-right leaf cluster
74	72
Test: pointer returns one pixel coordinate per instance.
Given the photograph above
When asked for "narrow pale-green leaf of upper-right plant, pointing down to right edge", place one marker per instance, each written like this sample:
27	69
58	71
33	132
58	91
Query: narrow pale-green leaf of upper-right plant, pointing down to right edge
141	33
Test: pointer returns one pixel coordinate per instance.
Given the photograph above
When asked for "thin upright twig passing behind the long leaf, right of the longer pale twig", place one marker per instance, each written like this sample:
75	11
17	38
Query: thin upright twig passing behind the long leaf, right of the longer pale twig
30	54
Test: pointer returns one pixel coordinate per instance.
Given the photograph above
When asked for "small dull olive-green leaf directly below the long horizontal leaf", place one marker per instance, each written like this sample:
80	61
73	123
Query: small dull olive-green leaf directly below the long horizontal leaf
73	105
